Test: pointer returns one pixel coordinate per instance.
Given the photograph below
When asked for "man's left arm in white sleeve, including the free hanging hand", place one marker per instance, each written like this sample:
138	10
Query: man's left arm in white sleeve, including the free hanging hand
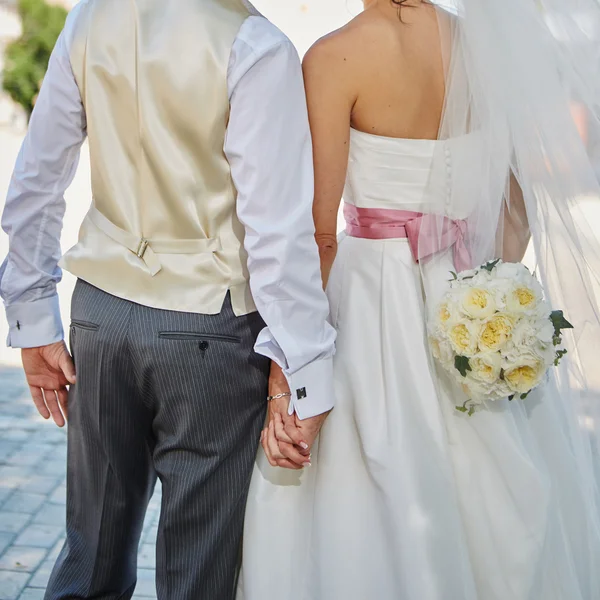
32	218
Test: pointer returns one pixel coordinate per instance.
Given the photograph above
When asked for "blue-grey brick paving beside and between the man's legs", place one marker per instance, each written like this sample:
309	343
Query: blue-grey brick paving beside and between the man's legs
32	498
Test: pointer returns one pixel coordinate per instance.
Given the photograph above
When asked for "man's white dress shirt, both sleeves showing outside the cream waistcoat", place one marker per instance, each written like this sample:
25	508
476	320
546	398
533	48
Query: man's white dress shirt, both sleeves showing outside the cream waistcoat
269	149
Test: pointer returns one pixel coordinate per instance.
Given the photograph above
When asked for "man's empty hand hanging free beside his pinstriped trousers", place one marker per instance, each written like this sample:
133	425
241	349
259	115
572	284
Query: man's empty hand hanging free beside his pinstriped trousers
49	369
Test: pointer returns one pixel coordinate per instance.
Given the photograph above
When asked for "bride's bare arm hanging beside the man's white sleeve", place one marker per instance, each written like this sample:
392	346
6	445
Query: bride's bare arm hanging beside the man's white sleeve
329	93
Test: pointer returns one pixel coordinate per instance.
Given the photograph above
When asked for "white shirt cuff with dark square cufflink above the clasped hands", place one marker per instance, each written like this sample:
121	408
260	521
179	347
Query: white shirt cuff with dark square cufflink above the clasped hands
312	389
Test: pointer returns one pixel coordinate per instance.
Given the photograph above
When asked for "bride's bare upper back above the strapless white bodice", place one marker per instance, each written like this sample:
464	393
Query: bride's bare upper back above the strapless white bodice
395	56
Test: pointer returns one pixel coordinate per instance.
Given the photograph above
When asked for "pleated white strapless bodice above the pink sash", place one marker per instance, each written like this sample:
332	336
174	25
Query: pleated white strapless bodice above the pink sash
407	174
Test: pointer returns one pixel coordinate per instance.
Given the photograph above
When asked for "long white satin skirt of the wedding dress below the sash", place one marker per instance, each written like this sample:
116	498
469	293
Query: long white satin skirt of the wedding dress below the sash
408	499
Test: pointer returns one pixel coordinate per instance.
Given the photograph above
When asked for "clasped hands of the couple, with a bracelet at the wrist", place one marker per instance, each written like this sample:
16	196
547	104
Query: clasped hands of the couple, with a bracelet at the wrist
287	441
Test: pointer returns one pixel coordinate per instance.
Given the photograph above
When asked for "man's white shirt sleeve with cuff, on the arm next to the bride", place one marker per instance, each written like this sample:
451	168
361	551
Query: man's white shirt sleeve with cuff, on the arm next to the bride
269	148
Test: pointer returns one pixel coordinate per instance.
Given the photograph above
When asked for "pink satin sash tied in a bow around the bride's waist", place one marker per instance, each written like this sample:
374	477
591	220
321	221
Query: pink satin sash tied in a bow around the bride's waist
426	234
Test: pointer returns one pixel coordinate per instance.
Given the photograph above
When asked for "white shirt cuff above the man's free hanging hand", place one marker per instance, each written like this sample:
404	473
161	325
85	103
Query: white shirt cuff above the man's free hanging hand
34	324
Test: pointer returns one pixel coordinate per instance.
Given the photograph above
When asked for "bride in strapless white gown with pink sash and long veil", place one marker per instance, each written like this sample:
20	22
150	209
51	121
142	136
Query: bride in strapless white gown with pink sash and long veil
465	116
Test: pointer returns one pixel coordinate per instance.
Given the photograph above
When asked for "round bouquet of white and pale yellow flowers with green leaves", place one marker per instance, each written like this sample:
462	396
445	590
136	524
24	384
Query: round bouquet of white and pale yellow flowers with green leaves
495	333
